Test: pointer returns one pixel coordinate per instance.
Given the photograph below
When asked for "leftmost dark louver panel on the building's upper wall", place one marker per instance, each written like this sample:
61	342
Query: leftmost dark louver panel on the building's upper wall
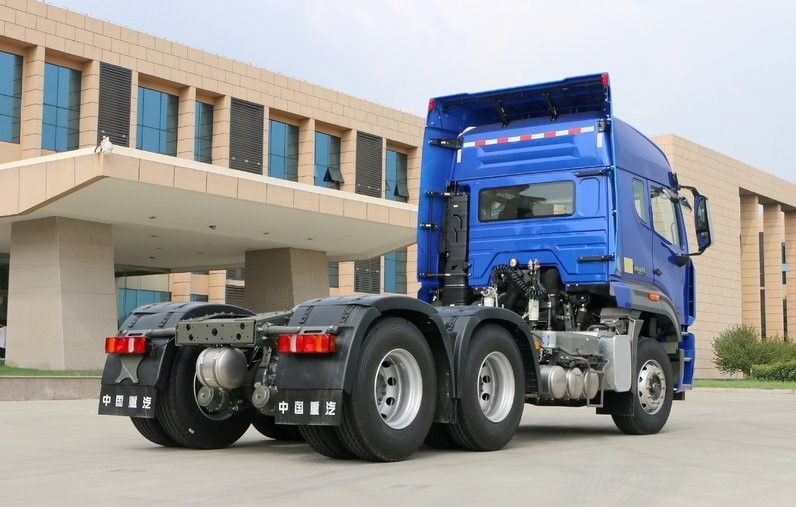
113	117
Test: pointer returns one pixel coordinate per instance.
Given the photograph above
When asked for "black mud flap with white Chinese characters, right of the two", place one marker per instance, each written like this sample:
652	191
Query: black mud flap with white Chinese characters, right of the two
319	407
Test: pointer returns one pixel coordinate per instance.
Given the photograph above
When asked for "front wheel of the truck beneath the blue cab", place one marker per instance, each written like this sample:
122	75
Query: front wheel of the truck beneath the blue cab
653	393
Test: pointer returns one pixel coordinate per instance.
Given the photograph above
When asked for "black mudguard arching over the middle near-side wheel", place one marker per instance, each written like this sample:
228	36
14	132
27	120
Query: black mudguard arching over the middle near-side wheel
464	320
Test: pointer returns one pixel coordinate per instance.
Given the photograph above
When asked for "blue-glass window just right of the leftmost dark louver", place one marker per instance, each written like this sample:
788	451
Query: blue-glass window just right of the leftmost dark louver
157	122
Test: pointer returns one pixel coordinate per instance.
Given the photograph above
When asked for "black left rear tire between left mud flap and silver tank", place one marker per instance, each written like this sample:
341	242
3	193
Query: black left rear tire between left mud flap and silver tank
184	420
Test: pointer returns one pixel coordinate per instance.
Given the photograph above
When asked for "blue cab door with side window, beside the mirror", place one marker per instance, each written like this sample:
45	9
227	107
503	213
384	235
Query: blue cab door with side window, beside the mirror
670	266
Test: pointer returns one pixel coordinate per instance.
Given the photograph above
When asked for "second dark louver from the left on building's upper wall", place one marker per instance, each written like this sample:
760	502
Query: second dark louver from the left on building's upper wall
246	136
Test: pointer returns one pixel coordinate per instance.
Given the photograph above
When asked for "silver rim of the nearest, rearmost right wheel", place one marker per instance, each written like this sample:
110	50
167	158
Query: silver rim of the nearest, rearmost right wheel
398	388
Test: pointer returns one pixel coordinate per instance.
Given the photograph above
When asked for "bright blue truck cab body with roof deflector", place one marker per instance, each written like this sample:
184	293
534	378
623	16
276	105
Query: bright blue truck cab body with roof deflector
550	175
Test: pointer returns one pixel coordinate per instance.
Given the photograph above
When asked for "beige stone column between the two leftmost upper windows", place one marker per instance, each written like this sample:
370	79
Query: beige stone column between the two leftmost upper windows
32	101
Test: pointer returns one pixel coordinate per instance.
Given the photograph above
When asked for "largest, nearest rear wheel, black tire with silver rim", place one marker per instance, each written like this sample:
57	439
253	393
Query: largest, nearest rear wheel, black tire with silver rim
392	401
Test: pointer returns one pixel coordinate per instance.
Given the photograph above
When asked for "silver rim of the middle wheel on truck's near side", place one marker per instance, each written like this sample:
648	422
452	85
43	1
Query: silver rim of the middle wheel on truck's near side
496	387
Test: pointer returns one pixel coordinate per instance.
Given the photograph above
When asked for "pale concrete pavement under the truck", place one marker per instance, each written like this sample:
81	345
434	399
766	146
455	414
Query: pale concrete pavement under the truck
720	448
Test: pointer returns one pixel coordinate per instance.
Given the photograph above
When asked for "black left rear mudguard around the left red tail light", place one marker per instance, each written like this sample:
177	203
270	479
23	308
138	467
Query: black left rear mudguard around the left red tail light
157	321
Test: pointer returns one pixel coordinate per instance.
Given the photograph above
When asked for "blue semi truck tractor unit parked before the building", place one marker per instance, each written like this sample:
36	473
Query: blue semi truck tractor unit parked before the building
554	270
